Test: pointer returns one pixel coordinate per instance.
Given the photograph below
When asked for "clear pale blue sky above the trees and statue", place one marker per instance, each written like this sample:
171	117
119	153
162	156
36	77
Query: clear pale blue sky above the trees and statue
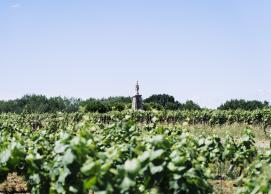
208	51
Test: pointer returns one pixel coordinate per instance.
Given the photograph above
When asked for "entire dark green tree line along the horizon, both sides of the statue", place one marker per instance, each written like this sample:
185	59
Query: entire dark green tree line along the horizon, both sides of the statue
42	104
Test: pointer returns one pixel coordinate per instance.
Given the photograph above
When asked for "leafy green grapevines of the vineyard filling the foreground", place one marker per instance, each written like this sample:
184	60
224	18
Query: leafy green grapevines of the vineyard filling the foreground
134	152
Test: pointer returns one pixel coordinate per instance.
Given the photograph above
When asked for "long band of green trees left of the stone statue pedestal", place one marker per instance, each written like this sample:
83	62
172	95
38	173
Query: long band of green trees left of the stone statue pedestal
42	104
